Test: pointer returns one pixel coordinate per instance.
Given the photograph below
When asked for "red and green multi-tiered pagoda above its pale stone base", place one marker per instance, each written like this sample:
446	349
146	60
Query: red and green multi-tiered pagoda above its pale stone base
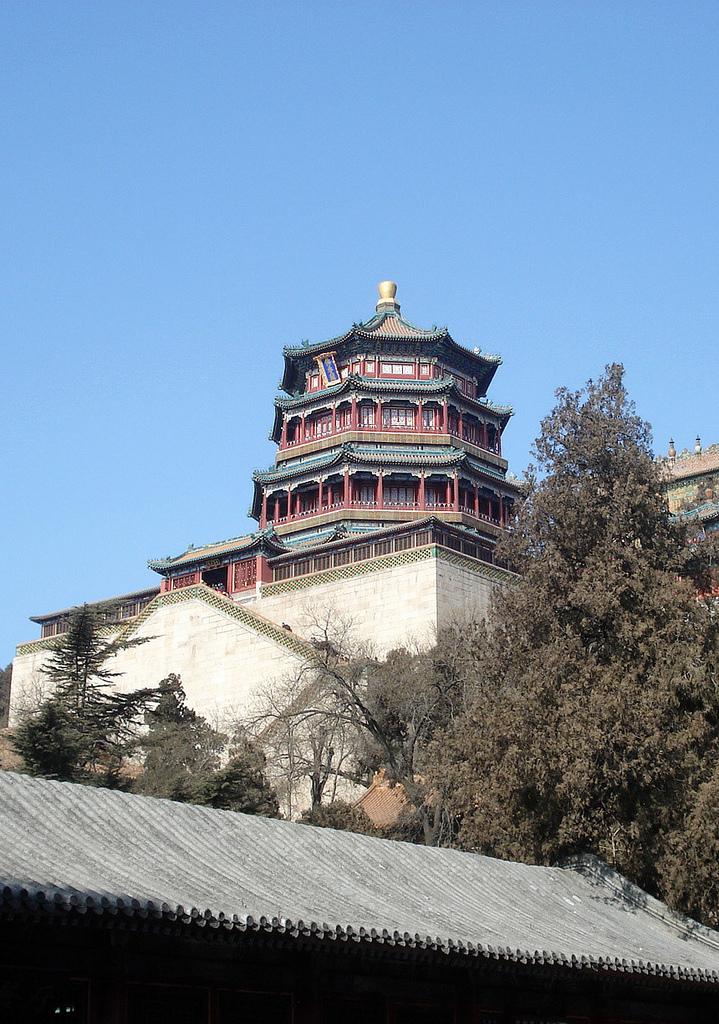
385	431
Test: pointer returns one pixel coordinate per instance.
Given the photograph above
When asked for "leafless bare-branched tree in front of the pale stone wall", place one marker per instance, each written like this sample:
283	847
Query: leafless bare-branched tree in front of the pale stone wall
348	713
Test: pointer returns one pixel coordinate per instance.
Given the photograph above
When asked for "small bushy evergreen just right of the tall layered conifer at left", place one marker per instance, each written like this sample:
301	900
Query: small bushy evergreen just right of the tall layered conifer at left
182	749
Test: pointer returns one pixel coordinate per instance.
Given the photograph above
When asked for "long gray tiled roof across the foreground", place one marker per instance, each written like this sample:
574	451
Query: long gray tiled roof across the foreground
66	846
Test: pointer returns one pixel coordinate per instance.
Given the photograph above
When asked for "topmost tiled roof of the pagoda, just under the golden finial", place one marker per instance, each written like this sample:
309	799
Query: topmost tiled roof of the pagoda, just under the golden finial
384	332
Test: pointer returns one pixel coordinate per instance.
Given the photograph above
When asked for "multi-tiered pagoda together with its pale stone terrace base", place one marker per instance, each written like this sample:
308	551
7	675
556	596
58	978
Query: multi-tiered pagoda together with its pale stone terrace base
385	504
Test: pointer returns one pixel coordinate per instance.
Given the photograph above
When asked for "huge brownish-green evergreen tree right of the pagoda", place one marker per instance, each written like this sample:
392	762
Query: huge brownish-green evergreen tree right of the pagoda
593	708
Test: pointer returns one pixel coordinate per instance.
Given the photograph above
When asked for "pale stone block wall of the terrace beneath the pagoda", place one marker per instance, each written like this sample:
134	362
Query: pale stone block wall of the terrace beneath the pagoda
225	651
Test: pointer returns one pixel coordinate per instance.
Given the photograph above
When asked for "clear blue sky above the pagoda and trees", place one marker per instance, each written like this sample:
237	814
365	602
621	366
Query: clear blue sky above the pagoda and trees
189	187
